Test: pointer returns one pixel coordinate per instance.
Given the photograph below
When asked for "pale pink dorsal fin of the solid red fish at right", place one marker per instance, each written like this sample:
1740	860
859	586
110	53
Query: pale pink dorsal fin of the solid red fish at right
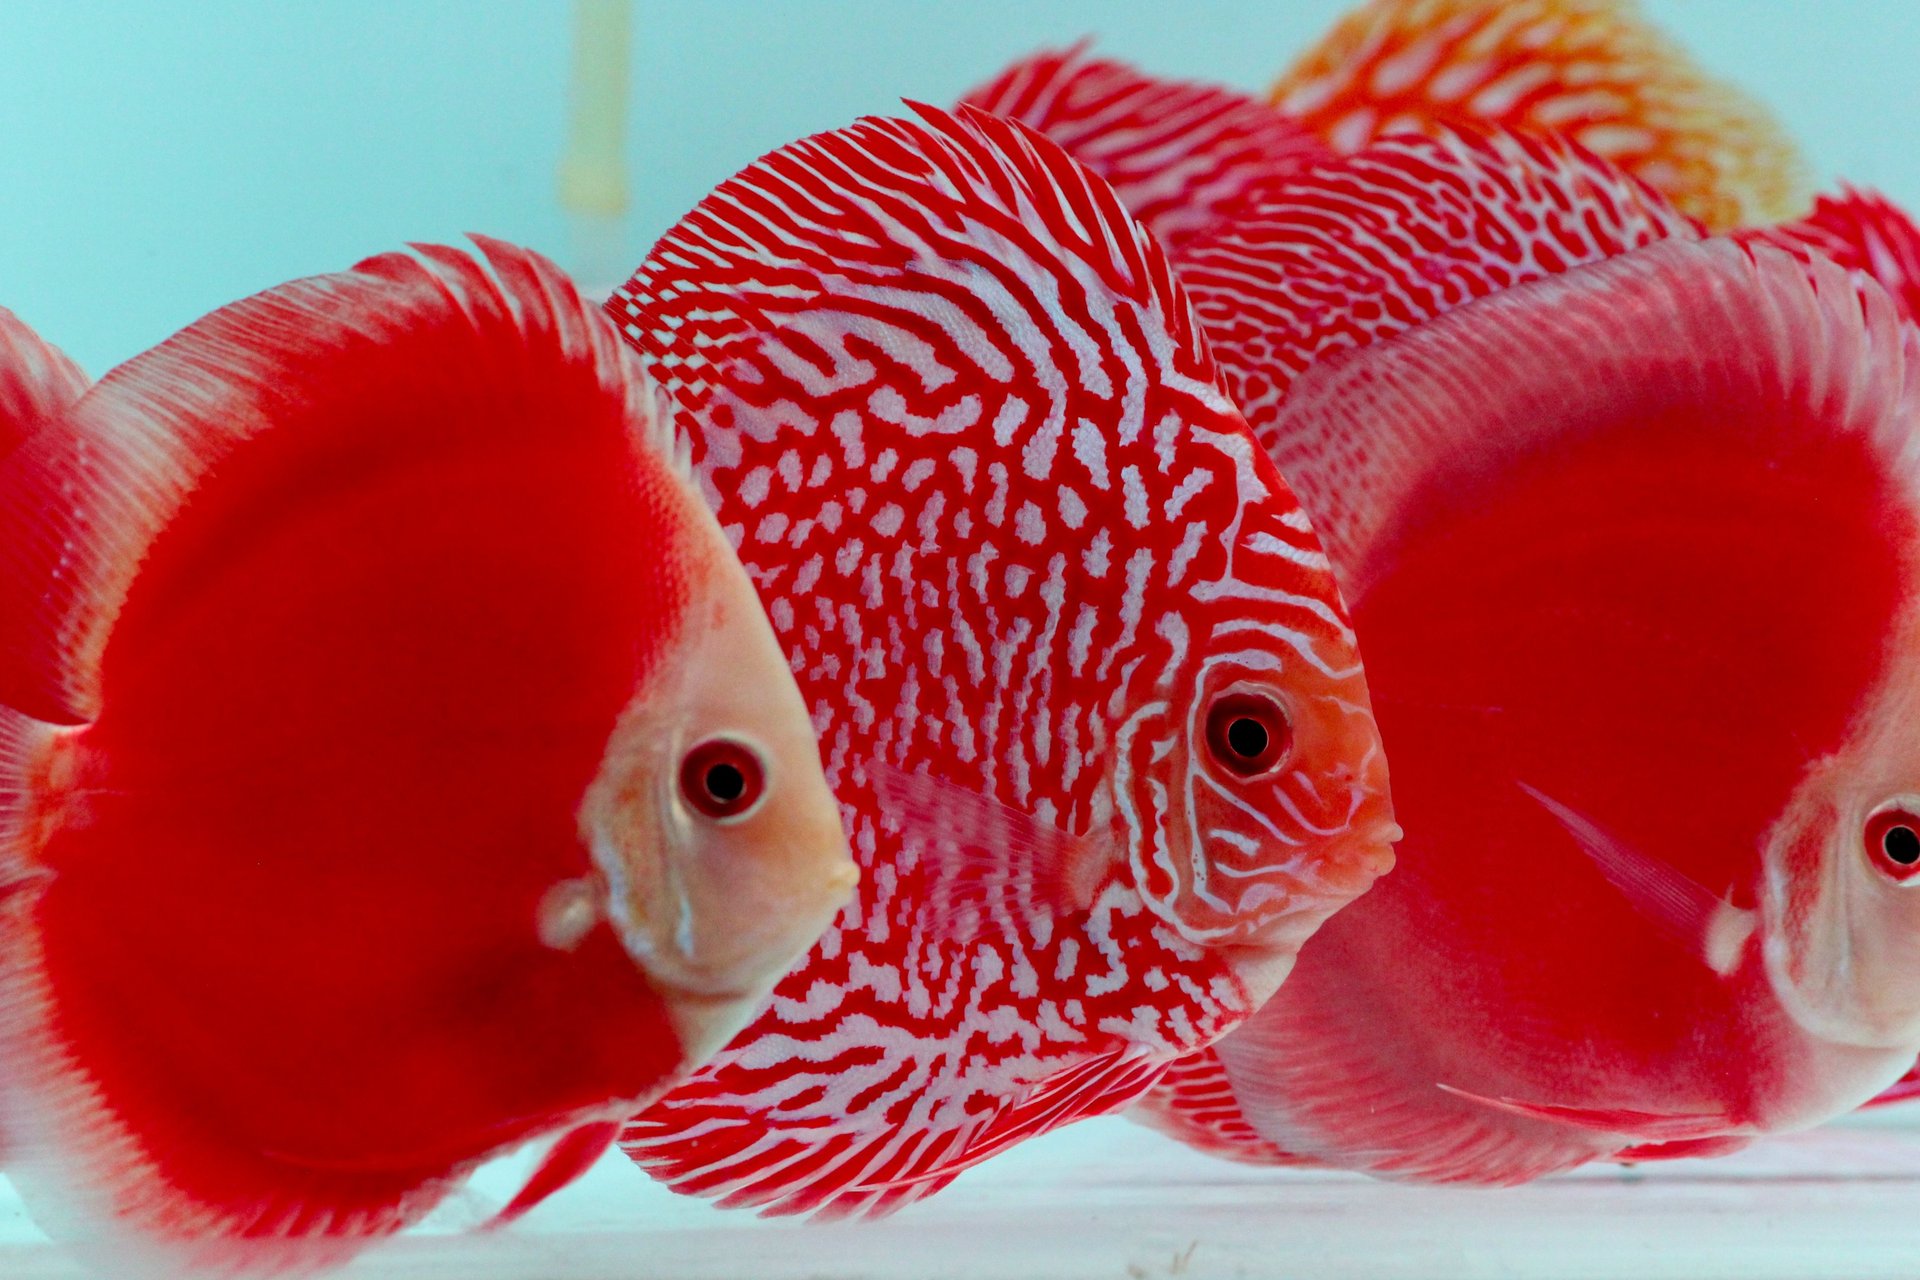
1712	320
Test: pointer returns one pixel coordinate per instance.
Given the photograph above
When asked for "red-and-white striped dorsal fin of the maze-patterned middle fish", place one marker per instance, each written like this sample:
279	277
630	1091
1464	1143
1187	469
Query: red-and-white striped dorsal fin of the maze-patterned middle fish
846	214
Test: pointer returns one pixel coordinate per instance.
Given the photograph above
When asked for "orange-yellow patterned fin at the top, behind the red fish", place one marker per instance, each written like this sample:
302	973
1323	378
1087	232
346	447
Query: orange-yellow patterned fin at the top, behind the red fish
1591	70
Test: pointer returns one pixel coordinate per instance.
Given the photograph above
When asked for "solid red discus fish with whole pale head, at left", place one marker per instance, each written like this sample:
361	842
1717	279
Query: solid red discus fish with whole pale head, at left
398	765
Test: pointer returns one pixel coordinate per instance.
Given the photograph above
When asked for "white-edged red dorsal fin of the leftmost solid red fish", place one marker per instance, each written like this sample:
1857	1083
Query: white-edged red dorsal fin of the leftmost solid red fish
82	502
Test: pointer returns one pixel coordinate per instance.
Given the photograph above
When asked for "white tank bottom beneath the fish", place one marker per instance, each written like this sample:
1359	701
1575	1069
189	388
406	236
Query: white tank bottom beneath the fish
1116	1202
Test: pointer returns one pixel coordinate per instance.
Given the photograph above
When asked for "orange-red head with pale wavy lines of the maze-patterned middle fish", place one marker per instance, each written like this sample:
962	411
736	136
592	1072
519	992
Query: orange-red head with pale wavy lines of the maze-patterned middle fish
1253	780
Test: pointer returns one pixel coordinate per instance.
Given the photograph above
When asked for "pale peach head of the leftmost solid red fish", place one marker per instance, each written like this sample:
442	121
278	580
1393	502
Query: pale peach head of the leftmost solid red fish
719	847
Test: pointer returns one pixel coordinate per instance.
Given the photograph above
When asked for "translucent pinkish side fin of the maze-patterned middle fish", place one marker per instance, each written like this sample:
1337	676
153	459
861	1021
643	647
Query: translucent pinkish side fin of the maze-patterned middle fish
980	855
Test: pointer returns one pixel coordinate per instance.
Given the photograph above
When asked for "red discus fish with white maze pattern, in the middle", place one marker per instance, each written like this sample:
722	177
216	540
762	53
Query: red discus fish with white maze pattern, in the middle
1084	682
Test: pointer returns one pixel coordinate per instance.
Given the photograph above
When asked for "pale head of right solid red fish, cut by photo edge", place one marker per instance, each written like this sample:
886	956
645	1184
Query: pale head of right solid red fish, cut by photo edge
1840	893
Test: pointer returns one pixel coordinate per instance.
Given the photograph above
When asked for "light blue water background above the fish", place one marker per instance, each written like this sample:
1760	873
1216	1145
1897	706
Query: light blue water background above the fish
160	158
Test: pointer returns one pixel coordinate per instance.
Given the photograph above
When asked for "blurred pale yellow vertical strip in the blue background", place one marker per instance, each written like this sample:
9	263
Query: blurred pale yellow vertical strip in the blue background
592	179
